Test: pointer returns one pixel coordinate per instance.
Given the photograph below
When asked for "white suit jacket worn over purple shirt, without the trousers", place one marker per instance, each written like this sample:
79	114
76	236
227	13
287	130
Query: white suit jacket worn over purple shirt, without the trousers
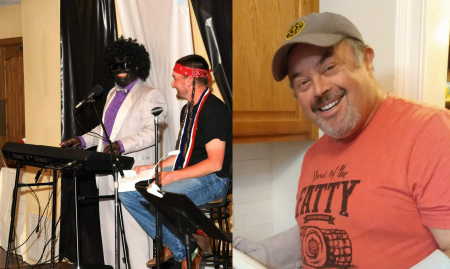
134	123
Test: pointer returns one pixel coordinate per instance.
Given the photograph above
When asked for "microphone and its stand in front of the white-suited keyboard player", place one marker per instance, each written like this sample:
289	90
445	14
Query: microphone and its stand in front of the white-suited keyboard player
117	166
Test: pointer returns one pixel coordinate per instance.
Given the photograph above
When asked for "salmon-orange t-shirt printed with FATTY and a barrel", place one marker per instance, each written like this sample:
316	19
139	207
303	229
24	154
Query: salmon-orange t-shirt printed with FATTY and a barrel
368	203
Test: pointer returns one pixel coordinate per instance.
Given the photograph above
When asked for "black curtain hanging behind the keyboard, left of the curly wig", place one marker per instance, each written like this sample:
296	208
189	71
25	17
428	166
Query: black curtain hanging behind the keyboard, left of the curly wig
87	26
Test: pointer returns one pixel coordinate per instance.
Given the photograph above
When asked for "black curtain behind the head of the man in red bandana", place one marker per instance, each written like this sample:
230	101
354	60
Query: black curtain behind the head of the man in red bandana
214	18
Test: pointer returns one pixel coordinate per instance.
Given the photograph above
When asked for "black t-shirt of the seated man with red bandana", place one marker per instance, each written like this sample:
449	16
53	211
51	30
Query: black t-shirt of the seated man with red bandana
214	121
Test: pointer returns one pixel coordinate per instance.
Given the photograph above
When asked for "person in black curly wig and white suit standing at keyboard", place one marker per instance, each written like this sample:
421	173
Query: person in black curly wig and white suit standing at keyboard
128	120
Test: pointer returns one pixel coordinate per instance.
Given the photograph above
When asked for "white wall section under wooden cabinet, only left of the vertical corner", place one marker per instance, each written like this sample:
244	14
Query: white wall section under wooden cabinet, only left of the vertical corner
252	191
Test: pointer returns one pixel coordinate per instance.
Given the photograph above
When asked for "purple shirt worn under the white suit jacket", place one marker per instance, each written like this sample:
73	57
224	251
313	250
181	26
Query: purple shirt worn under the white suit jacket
111	113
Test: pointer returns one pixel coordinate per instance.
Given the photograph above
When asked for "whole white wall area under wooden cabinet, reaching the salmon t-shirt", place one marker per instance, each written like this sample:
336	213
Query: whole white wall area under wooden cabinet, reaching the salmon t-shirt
265	178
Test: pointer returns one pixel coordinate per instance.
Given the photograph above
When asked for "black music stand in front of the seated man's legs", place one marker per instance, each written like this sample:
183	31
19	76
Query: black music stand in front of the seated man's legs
184	215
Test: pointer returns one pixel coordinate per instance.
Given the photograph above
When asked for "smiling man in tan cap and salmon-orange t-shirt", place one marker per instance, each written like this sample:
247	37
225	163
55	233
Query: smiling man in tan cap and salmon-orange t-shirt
374	191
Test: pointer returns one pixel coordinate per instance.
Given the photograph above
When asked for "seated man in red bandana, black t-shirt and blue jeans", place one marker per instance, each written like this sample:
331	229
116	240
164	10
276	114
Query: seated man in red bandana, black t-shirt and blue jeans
201	169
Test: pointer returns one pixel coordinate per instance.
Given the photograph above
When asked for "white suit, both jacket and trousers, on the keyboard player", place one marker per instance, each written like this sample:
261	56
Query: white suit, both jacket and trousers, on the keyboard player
134	127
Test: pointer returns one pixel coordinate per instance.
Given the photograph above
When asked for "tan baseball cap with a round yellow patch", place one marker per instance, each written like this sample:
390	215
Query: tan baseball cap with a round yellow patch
319	29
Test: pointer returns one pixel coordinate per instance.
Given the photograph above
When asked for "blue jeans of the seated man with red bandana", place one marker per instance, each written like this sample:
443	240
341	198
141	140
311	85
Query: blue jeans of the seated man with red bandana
200	190
